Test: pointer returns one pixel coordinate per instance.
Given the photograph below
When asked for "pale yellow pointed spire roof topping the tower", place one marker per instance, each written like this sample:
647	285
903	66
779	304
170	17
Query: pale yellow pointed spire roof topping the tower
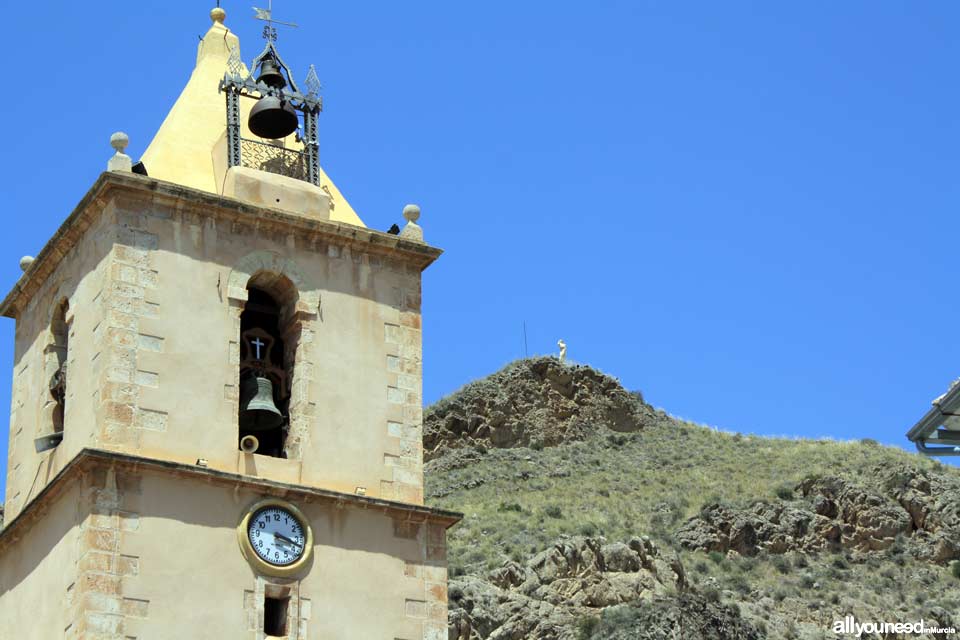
190	146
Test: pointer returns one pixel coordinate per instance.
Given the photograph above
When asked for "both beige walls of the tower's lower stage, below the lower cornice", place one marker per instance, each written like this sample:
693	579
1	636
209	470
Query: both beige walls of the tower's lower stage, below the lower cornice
133	553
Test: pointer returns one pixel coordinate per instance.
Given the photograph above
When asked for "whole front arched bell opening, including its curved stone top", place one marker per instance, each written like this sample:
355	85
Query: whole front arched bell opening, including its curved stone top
266	364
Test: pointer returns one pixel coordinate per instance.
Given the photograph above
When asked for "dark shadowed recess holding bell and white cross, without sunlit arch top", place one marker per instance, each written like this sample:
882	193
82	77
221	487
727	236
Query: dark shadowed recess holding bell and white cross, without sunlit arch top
264	392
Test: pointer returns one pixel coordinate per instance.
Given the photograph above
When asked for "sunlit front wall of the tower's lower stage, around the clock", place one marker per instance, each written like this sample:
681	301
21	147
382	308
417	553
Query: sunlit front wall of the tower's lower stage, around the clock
170	566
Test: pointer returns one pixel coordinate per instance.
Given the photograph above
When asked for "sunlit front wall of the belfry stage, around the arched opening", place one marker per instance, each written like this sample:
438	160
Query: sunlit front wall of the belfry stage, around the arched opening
171	385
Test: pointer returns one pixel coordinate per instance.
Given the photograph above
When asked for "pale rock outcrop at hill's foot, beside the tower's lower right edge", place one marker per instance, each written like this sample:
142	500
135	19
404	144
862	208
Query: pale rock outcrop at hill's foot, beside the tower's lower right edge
576	578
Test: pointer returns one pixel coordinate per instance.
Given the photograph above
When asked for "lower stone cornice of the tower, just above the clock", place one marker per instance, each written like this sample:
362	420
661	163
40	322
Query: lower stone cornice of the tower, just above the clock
89	459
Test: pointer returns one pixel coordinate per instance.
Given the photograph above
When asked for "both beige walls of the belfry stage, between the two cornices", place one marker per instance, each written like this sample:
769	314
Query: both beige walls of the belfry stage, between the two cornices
156	286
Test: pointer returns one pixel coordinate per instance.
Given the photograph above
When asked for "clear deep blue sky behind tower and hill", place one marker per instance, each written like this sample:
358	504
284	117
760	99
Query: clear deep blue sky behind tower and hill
743	209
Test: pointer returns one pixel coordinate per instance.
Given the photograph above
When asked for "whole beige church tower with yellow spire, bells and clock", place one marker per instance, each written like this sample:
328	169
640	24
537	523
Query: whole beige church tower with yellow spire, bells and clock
216	415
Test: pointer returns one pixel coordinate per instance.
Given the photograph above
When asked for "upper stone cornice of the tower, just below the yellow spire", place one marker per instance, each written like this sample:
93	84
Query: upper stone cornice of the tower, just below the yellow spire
193	201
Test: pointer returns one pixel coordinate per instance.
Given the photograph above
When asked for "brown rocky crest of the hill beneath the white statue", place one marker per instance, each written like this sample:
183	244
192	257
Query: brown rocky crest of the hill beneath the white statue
536	402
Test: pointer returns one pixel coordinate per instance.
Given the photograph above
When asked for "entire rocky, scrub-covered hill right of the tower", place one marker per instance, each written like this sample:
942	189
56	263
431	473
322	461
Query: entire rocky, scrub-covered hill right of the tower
589	514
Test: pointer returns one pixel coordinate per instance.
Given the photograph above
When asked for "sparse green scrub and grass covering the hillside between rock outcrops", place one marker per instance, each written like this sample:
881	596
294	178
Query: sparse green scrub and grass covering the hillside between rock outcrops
621	485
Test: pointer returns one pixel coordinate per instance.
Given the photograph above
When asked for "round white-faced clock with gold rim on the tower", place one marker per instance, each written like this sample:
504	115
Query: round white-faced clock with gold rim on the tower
275	537
